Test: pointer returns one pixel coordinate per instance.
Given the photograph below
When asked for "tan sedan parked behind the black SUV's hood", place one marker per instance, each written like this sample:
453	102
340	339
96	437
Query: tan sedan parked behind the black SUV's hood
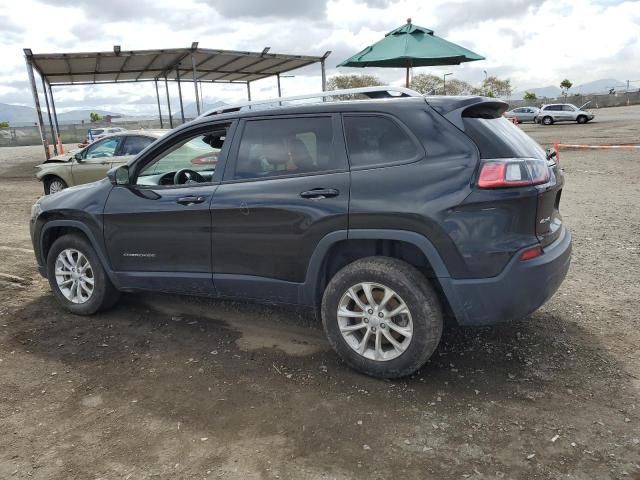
91	163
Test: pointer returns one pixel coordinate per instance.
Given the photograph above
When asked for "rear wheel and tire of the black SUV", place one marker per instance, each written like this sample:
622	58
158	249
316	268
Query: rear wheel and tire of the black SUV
424	318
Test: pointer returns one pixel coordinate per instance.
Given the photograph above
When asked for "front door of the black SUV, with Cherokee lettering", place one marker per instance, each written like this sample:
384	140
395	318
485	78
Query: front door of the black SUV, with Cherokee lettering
157	230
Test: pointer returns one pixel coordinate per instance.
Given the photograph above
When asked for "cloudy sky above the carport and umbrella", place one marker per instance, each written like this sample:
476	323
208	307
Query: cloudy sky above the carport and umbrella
535	43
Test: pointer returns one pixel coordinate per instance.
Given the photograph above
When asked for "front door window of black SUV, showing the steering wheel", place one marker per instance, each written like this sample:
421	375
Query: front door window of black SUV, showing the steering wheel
191	160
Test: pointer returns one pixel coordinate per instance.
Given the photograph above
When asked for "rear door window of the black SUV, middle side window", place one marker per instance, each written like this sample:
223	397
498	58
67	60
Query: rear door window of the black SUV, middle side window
285	146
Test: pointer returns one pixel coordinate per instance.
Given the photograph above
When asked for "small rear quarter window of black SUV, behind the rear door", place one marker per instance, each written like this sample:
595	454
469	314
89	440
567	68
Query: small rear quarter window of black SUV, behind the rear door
375	141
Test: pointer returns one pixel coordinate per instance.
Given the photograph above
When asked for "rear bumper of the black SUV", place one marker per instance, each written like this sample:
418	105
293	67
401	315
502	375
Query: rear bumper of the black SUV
521	288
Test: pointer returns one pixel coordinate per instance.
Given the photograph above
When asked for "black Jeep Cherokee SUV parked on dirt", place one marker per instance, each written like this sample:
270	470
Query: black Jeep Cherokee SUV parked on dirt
387	215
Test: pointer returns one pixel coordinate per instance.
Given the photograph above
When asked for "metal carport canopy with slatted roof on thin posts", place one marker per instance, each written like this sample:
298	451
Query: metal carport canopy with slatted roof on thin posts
197	65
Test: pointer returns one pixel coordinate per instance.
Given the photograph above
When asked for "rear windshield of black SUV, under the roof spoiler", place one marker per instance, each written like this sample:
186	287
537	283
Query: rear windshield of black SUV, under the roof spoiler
499	138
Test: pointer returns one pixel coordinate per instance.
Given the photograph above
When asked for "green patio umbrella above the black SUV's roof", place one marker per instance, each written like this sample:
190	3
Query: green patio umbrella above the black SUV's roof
411	46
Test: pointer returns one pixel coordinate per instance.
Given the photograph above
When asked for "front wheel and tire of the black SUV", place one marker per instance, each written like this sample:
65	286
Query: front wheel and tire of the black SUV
103	294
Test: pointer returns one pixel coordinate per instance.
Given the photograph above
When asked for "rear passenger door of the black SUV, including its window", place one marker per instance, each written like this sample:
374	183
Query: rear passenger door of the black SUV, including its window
286	186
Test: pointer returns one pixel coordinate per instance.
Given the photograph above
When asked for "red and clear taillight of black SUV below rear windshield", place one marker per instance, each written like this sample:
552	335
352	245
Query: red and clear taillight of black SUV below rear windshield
513	173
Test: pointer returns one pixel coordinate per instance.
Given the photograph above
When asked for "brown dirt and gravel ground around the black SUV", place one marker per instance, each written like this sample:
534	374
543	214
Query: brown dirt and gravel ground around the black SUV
171	387
